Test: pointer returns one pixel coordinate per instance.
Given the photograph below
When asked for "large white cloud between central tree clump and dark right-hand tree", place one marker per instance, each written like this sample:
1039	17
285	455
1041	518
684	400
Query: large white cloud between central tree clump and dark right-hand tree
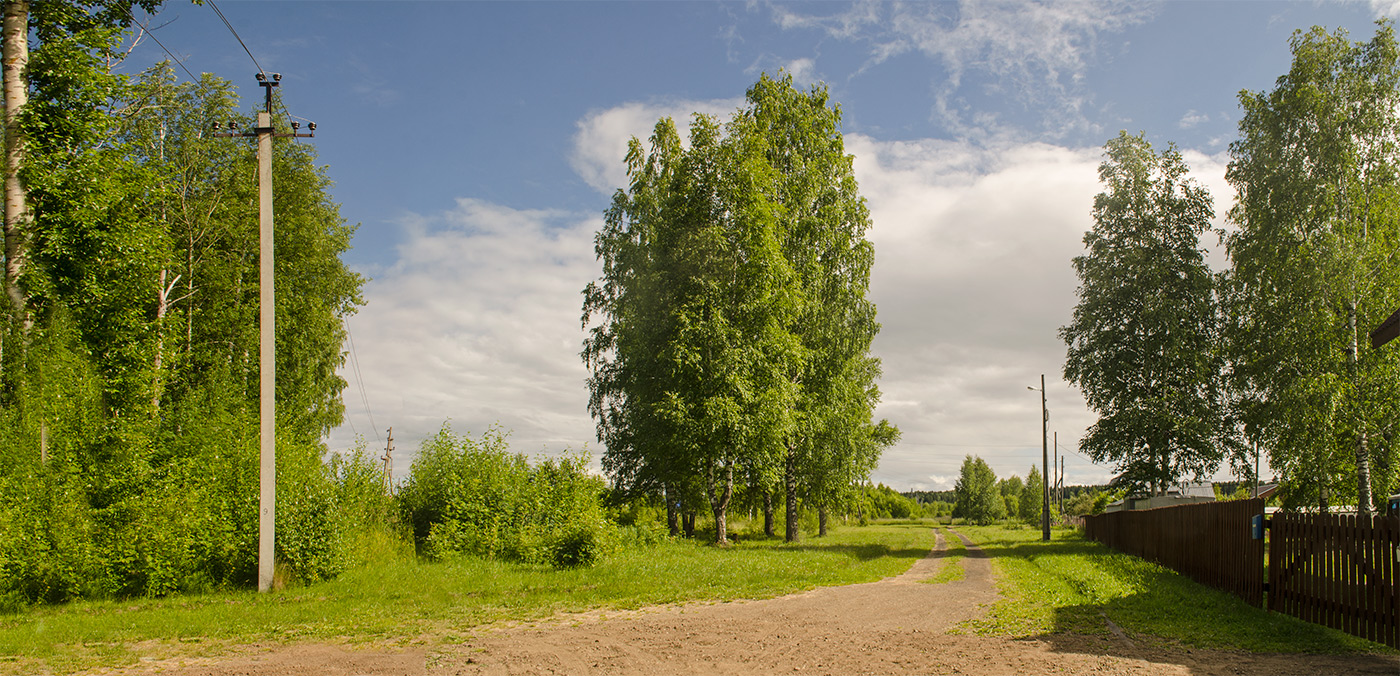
972	281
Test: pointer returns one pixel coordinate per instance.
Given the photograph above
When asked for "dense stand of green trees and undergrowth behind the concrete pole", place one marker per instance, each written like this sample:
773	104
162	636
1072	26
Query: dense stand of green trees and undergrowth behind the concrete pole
145	475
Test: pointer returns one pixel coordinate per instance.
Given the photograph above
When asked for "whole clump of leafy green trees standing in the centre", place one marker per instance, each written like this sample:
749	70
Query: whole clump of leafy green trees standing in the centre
733	327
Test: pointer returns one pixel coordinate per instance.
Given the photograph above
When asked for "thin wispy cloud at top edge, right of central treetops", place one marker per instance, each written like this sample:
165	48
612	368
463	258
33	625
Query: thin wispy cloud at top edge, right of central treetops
1034	55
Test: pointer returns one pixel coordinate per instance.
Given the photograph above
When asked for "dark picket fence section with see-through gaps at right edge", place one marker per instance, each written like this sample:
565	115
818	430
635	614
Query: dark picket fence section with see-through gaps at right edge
1338	572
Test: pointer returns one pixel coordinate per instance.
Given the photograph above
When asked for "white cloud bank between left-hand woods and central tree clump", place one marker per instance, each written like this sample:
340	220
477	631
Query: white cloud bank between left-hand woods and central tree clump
478	321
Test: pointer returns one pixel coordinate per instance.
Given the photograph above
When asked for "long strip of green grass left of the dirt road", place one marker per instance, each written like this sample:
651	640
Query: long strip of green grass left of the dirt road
412	603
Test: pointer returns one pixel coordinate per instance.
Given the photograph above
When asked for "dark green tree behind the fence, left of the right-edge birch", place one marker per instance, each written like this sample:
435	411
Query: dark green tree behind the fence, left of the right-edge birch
1144	344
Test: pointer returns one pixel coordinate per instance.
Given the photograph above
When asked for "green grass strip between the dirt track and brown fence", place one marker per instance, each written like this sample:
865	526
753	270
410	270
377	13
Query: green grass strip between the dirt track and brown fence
1072	586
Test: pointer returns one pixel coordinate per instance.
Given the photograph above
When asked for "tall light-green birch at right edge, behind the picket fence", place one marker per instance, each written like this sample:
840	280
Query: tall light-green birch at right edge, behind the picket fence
1317	173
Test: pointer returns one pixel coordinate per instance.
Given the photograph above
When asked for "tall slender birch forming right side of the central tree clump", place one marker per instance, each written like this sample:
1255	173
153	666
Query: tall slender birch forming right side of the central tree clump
822	222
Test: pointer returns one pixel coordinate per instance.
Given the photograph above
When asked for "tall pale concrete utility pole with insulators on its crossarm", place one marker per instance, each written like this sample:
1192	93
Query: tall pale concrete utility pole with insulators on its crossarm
267	338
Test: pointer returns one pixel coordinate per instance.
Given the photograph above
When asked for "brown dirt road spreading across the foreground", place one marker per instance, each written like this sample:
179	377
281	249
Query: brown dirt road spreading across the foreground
897	626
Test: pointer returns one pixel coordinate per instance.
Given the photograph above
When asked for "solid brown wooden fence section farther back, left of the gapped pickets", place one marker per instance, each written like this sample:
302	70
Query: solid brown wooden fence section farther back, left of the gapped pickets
1207	542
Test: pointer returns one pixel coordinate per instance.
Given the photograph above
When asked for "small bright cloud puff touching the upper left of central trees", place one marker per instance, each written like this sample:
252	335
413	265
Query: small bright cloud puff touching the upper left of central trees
601	143
